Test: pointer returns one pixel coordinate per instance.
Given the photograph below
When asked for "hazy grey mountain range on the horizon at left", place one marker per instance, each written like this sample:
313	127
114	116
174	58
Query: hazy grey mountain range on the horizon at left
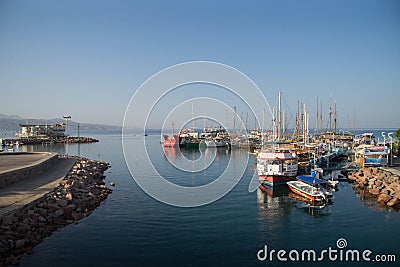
12	122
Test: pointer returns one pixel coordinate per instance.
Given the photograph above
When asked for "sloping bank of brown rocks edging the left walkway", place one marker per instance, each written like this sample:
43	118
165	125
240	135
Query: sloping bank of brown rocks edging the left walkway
77	195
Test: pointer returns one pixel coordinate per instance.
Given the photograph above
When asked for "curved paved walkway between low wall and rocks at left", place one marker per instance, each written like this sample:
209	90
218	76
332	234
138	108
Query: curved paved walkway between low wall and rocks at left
20	194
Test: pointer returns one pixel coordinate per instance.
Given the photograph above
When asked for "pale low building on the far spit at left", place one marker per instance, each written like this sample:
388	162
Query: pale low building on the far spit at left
42	131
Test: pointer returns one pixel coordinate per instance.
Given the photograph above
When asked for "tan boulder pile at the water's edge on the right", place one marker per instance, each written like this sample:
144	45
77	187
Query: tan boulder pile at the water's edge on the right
377	184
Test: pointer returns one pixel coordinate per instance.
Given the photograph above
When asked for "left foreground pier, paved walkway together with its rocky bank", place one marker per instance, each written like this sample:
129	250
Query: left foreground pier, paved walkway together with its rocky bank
35	208
